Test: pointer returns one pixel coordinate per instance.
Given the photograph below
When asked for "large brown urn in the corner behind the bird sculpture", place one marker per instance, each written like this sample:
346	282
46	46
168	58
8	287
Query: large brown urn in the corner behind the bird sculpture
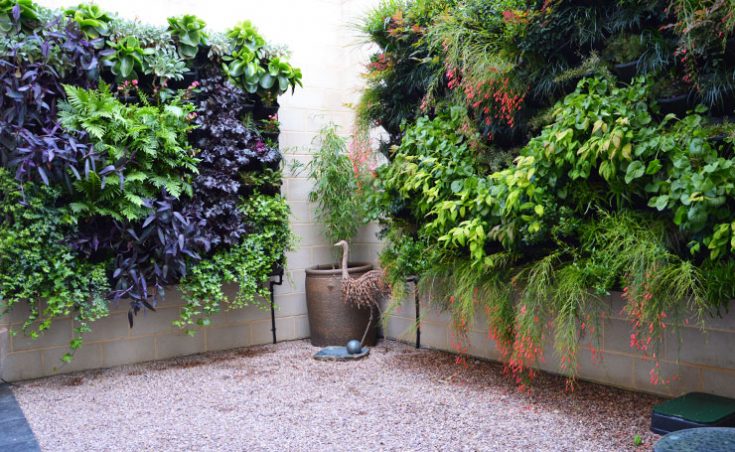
332	321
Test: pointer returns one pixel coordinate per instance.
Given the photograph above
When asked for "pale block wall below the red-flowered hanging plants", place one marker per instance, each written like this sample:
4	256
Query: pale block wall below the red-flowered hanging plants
692	358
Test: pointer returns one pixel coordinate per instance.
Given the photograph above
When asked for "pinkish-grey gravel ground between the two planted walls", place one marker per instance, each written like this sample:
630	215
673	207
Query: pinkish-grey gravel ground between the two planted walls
277	397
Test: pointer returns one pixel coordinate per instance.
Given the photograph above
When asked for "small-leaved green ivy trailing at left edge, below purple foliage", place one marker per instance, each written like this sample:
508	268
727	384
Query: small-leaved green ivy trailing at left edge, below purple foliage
37	268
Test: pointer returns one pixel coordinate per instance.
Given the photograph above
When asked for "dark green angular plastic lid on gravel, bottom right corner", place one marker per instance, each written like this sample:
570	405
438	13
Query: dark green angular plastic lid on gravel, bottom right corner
698	407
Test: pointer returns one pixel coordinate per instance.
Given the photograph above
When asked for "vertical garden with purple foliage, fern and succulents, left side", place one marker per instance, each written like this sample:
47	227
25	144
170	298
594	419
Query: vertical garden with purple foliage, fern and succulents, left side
135	157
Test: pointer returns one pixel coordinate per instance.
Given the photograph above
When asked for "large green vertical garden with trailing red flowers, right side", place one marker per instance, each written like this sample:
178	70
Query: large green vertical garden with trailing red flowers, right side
545	153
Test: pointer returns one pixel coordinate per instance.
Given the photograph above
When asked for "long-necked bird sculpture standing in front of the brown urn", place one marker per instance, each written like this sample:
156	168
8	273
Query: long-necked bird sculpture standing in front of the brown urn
368	290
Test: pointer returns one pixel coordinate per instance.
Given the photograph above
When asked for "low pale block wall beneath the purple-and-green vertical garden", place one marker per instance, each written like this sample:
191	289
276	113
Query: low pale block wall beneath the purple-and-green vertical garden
112	342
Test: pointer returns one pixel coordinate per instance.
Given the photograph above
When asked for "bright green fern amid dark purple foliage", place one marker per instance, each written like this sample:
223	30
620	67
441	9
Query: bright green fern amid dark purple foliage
150	140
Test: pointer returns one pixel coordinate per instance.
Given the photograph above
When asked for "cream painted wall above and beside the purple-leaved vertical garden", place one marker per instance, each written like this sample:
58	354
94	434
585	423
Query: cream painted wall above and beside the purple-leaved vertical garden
325	45
